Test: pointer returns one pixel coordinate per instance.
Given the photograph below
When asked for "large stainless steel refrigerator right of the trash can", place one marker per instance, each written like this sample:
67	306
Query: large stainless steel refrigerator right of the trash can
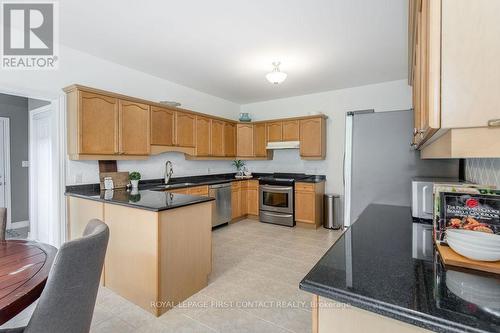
379	162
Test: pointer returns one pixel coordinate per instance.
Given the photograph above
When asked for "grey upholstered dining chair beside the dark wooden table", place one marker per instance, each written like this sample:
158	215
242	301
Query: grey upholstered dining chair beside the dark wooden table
68	299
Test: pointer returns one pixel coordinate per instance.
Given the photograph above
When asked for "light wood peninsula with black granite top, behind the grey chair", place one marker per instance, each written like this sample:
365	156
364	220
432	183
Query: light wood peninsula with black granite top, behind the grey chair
160	245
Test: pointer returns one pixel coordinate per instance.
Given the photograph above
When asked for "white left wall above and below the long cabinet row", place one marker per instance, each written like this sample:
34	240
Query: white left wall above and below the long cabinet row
85	69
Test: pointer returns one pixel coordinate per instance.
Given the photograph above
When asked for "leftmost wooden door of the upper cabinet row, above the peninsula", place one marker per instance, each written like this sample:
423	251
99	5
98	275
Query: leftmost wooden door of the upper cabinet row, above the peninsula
97	124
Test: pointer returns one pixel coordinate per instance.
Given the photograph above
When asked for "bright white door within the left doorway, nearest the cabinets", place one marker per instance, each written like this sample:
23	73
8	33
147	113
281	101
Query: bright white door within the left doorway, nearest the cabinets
41	176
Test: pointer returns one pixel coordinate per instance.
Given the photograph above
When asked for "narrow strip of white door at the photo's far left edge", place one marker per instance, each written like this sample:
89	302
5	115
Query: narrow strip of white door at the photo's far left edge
5	167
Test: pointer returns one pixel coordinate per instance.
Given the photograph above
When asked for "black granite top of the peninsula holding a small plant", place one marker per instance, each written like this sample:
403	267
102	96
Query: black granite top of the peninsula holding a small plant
144	199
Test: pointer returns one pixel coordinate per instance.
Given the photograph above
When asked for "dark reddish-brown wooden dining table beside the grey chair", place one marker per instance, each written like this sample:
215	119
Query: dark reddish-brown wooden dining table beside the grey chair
24	268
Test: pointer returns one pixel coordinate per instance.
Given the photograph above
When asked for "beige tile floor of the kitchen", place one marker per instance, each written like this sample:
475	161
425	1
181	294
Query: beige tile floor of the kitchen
253	287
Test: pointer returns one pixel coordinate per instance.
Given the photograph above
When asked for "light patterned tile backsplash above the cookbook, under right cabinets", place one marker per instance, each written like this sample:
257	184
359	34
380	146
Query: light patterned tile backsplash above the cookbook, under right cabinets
483	171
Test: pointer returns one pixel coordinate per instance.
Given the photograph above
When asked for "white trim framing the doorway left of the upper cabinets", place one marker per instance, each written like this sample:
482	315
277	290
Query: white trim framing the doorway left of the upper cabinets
58	105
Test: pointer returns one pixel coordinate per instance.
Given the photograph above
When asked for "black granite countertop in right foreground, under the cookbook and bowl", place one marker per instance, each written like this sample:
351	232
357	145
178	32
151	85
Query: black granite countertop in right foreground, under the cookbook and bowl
371	267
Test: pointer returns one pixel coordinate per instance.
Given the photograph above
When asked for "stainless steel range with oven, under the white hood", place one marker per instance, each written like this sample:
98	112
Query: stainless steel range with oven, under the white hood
277	198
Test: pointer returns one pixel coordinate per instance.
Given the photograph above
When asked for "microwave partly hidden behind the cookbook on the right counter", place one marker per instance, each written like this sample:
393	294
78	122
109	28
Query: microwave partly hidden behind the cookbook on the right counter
422	198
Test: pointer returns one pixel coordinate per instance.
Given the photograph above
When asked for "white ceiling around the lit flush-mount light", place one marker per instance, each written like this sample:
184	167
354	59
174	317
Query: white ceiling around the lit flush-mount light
225	47
